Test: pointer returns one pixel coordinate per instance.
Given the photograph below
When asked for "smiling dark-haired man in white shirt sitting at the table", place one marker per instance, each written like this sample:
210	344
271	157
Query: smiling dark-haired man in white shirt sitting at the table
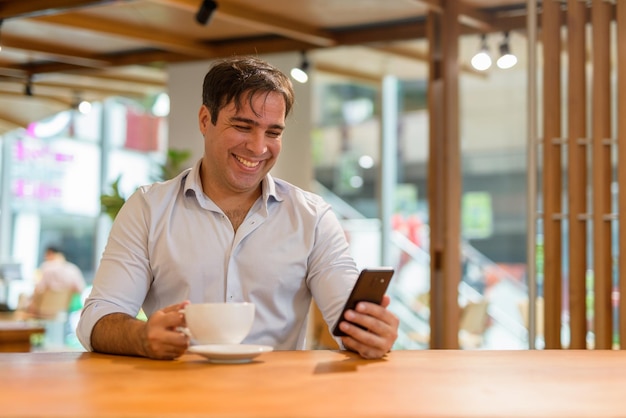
227	231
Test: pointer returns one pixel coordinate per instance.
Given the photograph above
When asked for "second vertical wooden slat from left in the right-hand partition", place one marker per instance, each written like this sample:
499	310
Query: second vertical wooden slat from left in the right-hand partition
577	170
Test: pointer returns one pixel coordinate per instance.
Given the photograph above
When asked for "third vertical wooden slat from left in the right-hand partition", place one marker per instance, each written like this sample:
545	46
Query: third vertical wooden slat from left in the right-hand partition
601	15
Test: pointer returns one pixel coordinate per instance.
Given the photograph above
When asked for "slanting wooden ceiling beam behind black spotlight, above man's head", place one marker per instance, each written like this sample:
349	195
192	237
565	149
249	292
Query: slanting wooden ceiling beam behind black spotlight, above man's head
235	13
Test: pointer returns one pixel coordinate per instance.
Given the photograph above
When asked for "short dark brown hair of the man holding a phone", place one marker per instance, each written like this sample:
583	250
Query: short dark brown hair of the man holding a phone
240	78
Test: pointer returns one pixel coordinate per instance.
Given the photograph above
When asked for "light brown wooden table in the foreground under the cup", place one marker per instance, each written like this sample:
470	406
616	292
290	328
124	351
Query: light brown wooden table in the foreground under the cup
318	384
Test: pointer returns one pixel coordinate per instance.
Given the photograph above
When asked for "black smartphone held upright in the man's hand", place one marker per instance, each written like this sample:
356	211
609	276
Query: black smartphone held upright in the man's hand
370	287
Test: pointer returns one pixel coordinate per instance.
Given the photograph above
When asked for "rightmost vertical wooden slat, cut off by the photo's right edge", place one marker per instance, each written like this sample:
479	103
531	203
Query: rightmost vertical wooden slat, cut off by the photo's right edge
621	168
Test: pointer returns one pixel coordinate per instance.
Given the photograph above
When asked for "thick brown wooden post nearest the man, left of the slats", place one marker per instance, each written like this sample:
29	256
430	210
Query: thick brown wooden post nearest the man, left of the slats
444	187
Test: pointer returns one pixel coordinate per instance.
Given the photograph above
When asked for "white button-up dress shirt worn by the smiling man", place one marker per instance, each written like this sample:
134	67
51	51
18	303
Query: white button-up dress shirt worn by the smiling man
170	243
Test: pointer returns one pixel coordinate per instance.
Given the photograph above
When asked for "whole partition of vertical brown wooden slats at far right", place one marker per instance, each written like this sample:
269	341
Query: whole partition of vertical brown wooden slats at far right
590	167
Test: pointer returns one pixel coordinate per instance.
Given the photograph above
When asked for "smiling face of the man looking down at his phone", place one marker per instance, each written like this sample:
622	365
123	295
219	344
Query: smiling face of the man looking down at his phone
243	146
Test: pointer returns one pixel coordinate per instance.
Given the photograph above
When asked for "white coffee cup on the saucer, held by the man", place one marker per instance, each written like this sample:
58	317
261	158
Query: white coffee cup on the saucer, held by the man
219	323
